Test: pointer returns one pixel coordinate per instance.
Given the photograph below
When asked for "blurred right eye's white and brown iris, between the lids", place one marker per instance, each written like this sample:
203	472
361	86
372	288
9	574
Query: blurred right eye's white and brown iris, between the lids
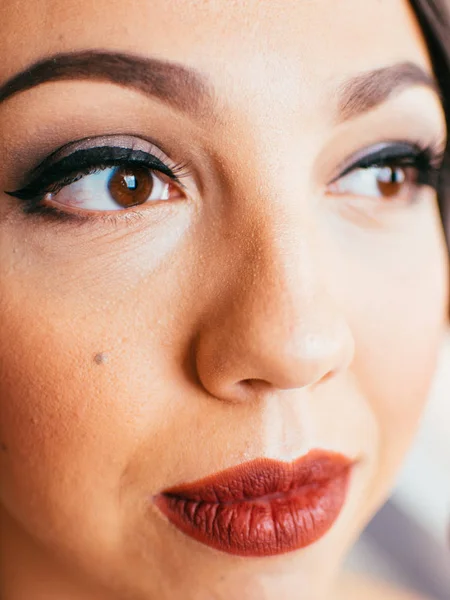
385	182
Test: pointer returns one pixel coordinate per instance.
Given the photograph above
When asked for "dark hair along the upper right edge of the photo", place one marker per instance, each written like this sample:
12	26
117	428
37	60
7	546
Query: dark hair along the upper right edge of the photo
434	19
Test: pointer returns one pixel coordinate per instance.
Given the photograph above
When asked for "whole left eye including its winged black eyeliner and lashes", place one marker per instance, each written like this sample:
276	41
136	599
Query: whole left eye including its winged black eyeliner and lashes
81	182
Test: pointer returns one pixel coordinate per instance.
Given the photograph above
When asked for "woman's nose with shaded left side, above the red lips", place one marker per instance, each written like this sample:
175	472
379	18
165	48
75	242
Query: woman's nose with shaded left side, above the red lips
276	326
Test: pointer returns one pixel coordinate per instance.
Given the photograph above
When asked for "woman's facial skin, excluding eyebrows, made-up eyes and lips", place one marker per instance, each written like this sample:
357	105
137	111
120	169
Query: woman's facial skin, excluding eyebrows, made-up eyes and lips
126	350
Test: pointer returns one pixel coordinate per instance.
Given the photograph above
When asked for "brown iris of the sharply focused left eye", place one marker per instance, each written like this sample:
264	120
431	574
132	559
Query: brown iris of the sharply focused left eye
131	186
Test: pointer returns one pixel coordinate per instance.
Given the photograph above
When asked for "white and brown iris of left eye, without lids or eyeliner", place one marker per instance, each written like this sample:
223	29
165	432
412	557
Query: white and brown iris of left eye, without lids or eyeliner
114	188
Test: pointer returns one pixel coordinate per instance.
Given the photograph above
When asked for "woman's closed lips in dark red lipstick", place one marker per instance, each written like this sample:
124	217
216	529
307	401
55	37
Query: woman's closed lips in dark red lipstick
263	507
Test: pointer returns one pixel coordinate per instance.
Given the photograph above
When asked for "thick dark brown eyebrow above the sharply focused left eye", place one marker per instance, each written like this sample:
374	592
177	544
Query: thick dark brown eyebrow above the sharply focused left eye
177	85
